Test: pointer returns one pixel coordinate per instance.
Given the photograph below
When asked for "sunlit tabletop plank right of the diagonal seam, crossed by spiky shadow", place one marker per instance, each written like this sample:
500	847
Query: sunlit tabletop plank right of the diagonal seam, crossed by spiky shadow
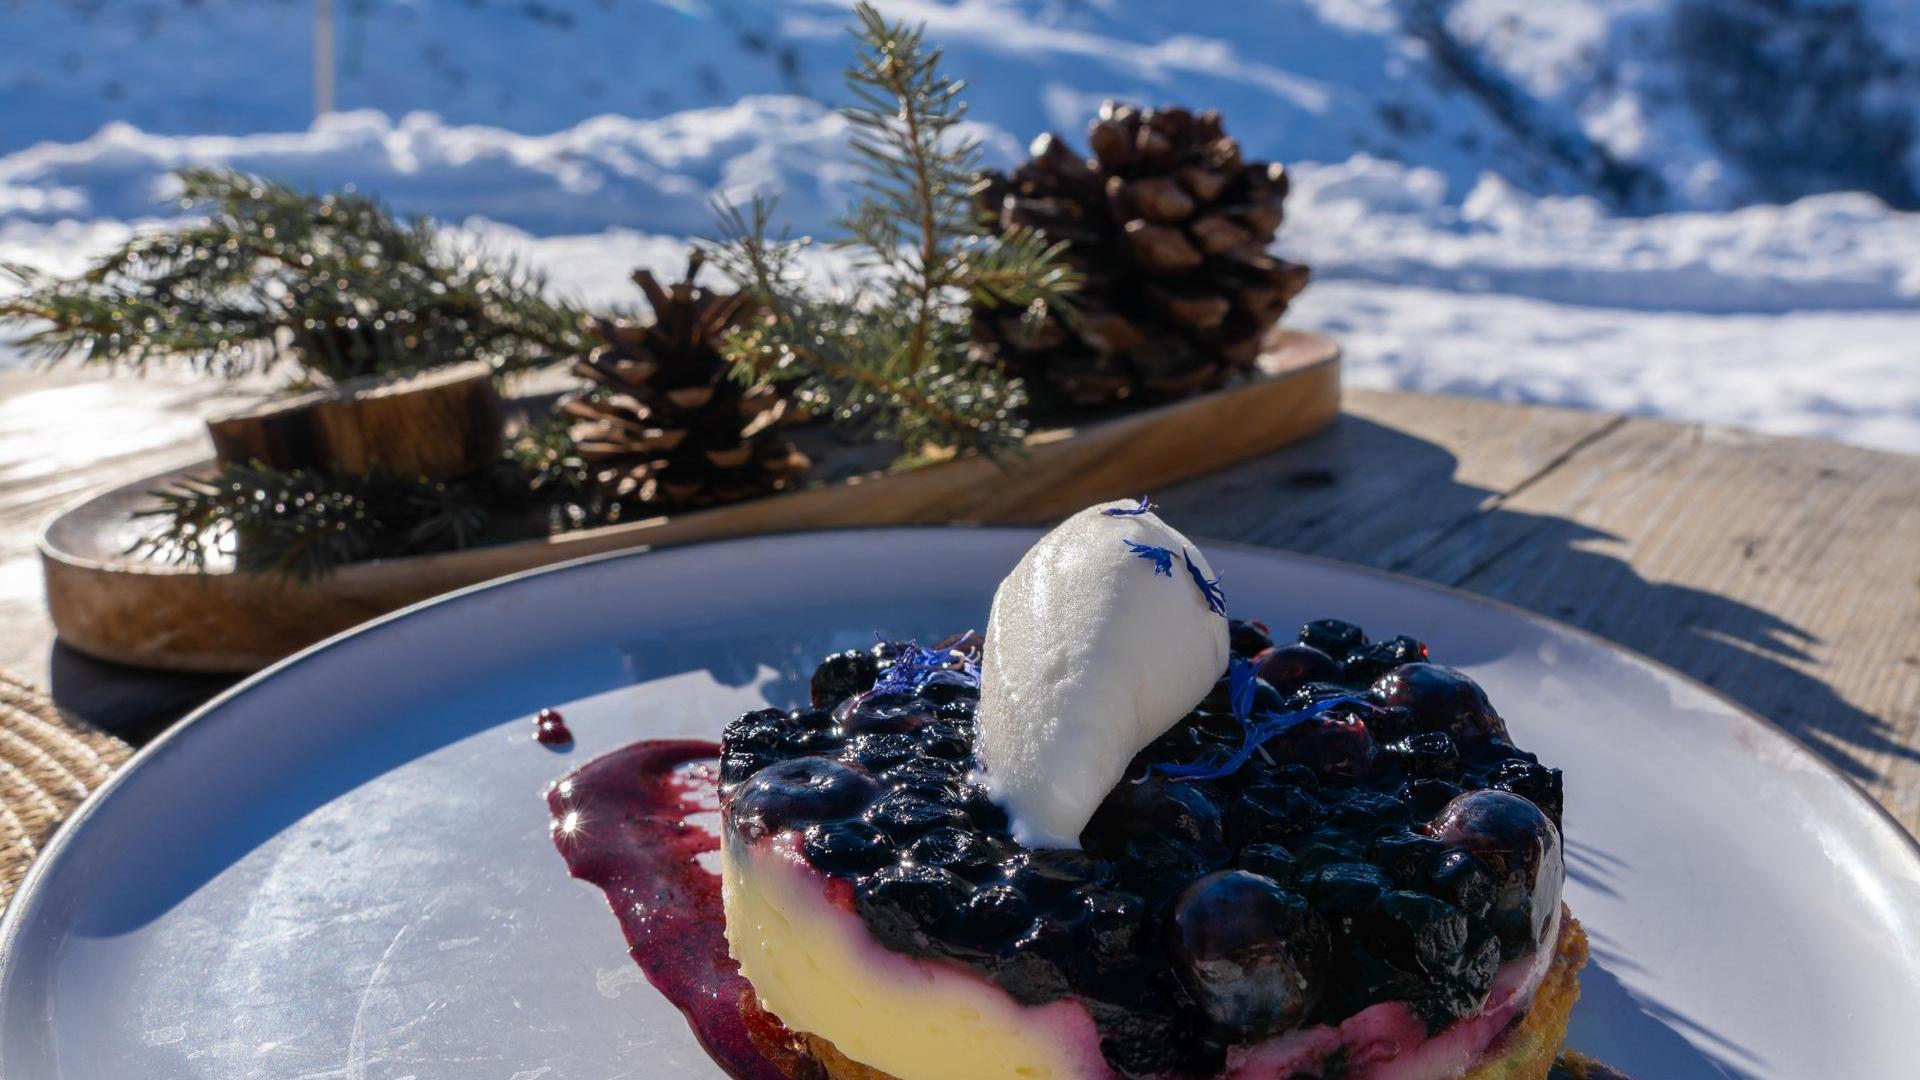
1785	574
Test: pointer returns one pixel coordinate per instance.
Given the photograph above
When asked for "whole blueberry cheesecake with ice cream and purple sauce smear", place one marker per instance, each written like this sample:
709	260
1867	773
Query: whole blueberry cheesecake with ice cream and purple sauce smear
1116	835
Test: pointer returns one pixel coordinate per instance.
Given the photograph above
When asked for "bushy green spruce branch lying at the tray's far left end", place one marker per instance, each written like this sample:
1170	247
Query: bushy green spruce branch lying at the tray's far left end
329	282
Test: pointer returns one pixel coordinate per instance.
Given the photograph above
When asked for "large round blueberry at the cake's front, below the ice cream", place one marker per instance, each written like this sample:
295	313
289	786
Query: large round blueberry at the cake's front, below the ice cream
1251	952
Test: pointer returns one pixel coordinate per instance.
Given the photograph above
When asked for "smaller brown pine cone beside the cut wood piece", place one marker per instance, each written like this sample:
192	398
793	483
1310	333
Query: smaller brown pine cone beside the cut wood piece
667	428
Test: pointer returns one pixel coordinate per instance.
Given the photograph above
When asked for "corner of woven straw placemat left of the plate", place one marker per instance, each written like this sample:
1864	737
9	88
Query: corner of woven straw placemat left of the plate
49	762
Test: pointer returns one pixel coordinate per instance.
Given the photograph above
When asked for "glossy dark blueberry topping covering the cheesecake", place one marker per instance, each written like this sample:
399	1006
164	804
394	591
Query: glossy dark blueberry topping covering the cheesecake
1391	845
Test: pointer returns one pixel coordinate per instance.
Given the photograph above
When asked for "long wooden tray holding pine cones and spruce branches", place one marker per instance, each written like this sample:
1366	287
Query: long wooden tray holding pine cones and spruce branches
149	614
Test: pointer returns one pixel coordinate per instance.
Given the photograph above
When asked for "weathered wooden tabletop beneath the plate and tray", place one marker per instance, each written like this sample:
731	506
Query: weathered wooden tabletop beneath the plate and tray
1785	574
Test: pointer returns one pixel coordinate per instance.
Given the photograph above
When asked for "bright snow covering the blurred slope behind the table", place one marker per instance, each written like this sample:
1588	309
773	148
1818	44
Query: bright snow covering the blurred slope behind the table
1499	199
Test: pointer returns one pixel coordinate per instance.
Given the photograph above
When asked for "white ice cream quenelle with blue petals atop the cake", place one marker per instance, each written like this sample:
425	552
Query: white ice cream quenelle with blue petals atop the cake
1101	639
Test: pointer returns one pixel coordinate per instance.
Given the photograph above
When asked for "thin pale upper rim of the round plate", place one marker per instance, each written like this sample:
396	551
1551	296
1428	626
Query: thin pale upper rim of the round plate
62	839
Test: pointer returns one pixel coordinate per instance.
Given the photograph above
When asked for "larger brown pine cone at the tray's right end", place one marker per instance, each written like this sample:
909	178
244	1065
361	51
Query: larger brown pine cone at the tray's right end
1170	230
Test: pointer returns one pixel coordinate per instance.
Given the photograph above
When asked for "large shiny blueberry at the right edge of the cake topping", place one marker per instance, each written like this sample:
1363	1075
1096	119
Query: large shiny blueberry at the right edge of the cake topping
1520	845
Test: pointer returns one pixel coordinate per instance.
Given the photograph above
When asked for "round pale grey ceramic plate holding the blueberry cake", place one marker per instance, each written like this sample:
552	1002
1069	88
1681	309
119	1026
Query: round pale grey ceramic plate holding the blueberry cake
343	870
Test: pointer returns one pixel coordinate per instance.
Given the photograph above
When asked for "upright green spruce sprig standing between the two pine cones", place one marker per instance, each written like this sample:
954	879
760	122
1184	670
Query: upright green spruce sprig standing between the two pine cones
894	353
